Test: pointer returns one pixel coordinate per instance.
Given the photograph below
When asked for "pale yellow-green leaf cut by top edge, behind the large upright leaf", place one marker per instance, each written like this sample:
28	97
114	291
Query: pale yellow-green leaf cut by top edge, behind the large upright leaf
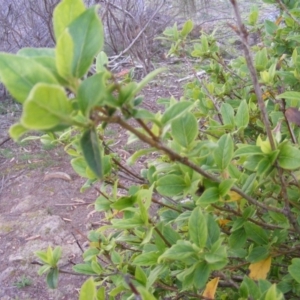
64	13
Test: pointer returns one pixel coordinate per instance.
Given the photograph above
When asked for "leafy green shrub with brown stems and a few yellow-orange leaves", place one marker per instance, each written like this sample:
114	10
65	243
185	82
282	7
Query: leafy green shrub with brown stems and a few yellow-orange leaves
216	212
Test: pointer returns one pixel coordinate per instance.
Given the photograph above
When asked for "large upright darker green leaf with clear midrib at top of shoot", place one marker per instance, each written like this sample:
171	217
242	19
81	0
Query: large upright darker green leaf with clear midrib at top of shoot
87	34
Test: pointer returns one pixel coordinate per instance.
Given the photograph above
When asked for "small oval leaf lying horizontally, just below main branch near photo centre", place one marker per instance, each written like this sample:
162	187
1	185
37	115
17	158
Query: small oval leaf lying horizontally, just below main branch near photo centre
171	185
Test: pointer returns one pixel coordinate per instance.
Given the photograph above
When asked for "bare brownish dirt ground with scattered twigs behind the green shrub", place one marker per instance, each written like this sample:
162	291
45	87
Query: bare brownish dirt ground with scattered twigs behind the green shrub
39	208
